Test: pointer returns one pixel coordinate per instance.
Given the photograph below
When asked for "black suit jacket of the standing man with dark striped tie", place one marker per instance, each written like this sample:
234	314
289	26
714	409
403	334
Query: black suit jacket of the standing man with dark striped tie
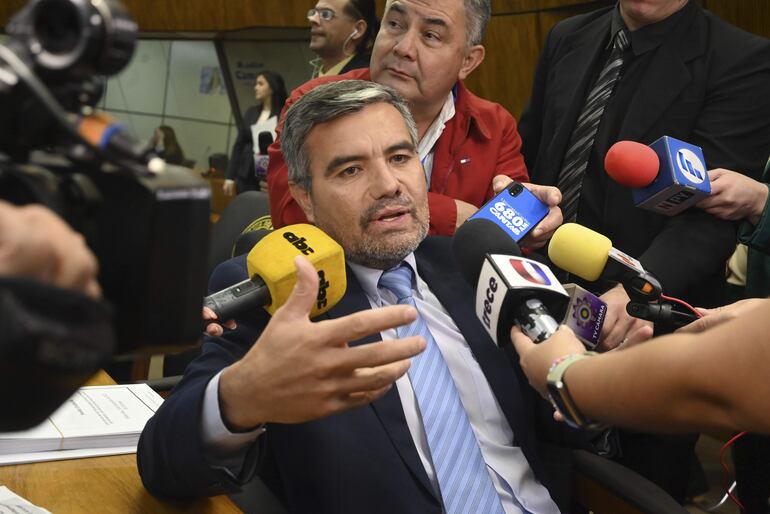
707	85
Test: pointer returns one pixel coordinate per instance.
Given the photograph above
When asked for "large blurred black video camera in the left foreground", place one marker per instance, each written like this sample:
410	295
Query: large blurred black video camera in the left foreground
146	221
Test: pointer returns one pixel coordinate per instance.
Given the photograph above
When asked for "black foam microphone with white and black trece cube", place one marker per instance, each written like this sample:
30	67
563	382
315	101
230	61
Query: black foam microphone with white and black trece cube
509	288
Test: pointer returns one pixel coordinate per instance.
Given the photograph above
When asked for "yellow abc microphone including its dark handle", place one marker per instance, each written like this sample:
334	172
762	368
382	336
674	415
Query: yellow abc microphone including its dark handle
270	265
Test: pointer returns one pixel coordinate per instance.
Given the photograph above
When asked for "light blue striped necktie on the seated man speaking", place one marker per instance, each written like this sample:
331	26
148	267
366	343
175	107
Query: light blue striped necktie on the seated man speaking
462	473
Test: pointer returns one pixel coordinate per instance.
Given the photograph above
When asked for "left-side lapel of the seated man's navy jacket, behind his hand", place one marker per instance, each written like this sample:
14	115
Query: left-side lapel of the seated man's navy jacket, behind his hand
388	409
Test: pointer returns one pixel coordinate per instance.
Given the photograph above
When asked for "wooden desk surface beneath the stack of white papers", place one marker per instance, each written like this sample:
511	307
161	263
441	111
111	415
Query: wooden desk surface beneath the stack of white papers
101	484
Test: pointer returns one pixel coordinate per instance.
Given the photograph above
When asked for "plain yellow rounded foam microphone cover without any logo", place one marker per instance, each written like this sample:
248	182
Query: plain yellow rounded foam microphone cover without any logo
579	250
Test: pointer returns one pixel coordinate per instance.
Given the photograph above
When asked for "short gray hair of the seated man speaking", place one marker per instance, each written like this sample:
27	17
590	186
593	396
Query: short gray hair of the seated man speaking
326	103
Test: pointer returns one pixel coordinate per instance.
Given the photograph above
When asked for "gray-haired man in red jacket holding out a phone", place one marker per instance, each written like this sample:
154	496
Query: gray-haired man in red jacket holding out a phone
425	51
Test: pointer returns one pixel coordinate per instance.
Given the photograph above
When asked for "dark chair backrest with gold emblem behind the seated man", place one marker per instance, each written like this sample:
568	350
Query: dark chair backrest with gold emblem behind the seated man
248	211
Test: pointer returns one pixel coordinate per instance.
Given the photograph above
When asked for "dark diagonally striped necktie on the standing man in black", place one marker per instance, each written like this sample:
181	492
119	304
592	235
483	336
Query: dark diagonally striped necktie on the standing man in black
582	140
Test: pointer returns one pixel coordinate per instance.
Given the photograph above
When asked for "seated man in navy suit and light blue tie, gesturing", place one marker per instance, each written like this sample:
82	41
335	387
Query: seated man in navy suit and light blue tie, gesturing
456	434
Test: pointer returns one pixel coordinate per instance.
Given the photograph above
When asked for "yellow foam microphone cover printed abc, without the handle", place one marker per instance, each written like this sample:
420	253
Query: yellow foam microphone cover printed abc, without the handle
273	260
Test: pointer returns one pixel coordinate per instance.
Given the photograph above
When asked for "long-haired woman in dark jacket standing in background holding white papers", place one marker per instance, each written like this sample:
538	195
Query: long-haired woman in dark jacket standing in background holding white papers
270	93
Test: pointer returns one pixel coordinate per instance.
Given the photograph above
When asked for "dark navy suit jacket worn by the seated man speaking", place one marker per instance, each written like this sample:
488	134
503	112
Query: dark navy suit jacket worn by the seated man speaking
359	461
